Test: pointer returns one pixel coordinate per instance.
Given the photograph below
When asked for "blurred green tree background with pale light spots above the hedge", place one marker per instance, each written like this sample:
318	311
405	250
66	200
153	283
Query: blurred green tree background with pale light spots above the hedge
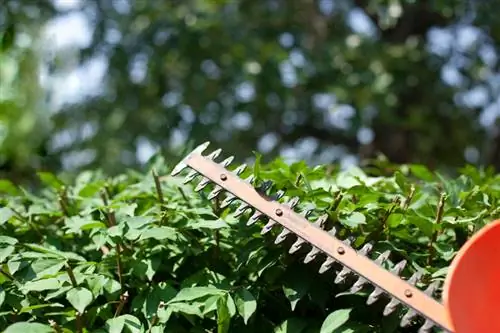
109	83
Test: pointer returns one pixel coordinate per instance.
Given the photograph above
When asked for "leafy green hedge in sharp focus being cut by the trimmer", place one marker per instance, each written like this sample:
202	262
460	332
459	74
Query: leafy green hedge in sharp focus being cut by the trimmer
143	253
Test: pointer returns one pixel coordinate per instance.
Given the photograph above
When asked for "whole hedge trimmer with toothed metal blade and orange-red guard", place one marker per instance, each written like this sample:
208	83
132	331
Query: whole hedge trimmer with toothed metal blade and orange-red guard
471	292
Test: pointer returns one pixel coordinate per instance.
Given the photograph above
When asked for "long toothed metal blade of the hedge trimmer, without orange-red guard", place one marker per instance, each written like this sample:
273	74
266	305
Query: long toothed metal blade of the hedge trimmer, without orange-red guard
354	262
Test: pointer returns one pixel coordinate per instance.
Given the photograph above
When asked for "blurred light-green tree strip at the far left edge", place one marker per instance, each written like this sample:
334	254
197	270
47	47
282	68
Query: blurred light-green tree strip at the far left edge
24	117
